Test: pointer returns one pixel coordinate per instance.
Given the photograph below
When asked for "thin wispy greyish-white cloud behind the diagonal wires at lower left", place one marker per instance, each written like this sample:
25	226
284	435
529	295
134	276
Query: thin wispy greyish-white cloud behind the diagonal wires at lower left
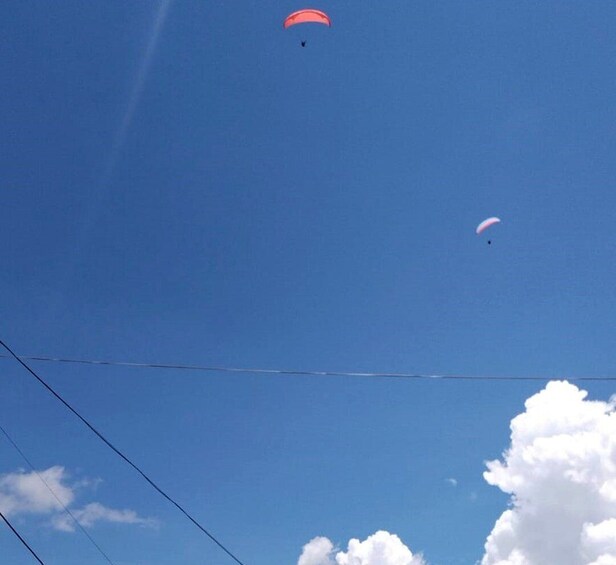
24	493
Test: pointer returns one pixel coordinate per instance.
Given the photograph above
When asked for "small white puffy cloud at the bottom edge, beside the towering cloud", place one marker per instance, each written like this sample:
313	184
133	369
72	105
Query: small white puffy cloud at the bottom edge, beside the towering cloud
381	548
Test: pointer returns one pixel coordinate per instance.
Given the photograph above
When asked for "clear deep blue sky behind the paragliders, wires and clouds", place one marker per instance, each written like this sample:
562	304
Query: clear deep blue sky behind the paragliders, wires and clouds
311	208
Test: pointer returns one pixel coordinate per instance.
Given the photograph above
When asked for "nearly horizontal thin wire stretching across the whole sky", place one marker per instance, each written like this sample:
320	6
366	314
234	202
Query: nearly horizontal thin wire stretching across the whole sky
293	372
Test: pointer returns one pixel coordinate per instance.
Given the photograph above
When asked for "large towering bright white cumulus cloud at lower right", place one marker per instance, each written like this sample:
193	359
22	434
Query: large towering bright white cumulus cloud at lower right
560	471
